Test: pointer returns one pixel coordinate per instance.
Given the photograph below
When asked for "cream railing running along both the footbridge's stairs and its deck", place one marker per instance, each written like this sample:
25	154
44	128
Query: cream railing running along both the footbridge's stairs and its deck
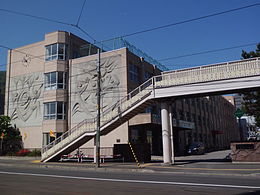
228	70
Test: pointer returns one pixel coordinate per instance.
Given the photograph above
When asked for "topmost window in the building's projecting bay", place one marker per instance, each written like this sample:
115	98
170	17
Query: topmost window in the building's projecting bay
55	51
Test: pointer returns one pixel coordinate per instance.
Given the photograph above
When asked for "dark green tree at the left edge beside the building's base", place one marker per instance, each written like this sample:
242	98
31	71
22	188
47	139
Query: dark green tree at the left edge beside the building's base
11	140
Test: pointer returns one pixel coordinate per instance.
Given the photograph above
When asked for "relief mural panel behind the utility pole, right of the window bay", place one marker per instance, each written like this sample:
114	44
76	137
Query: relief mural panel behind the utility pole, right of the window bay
84	87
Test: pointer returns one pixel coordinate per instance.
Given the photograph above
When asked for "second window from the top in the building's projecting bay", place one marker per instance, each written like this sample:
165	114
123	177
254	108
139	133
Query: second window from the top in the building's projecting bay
55	80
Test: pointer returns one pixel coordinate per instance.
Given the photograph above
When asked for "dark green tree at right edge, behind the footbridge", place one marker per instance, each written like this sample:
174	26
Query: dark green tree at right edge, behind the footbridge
251	104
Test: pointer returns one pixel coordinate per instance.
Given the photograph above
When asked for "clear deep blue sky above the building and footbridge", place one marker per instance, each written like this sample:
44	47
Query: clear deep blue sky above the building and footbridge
105	19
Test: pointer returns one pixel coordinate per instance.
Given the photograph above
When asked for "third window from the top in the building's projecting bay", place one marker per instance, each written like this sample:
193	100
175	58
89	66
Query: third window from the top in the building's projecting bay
54	110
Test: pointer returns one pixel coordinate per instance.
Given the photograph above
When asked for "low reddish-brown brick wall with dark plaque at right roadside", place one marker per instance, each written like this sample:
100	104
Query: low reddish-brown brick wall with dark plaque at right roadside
248	151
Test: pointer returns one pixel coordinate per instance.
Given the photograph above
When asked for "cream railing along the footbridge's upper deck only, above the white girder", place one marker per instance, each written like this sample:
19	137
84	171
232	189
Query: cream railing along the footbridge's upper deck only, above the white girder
222	71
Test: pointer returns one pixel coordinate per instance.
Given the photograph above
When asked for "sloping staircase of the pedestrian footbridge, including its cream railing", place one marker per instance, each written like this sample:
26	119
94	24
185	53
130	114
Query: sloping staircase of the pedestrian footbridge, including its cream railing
119	113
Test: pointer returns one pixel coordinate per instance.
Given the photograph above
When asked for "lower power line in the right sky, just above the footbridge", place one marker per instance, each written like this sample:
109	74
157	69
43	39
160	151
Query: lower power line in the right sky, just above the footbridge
205	52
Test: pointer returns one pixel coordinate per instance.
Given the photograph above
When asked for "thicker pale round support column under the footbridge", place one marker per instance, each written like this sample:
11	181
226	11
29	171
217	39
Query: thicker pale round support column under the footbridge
166	132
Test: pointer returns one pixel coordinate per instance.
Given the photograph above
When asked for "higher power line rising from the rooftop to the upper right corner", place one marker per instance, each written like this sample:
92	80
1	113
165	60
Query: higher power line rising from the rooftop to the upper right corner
187	21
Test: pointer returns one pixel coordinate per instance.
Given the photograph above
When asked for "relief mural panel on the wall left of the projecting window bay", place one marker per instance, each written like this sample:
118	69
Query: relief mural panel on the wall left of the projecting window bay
26	108
